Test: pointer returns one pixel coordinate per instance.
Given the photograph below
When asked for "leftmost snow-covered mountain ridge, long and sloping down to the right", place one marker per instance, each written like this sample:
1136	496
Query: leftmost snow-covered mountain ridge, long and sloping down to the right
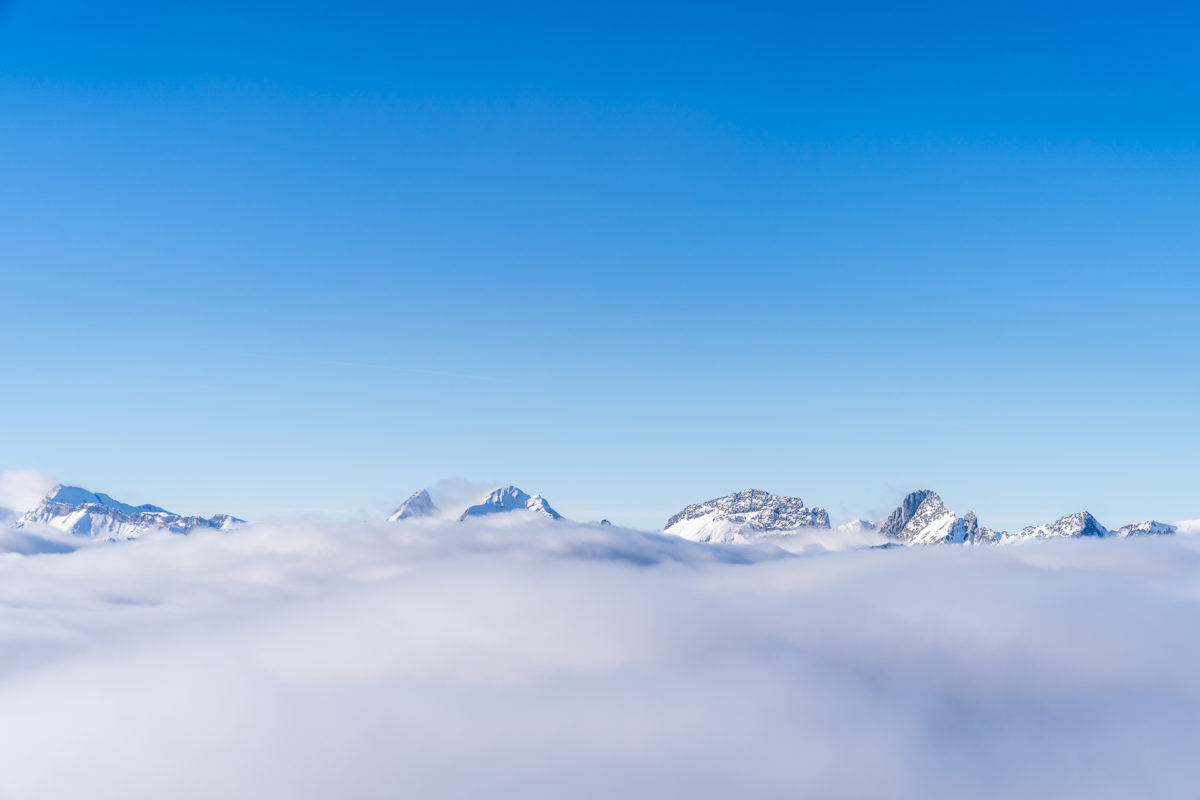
75	510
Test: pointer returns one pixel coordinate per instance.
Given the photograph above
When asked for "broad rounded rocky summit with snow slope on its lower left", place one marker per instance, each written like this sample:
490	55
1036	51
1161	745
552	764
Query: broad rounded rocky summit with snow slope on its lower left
743	516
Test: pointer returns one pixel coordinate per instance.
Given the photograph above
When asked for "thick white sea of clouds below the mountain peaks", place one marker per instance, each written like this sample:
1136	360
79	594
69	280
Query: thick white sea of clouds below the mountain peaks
520	658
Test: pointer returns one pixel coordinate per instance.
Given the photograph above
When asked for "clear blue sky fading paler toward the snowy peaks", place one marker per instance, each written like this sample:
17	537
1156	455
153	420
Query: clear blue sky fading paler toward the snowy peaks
290	257
